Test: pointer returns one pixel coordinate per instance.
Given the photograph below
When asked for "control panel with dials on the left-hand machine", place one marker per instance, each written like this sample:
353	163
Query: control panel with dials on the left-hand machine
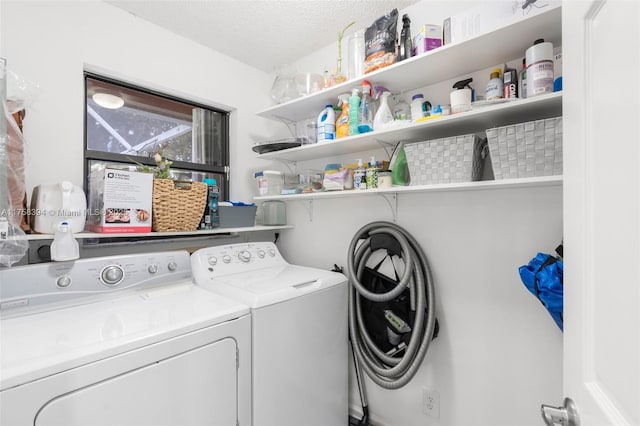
31	288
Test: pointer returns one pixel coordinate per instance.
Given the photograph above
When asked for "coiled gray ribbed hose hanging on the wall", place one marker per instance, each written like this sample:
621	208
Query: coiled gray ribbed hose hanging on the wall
387	371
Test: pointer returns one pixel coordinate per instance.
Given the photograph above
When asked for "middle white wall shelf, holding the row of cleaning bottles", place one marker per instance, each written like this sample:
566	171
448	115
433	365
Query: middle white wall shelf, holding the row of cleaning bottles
478	119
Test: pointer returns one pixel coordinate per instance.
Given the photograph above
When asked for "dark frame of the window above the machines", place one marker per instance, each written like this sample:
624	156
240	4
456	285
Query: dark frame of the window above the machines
90	155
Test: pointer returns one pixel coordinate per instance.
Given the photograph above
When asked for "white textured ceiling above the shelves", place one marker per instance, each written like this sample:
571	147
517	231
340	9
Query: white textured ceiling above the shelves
261	33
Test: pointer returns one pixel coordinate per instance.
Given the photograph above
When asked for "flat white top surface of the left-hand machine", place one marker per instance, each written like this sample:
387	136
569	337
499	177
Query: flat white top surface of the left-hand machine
38	345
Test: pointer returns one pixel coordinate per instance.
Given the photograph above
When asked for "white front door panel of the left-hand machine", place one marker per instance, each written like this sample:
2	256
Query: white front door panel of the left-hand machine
196	387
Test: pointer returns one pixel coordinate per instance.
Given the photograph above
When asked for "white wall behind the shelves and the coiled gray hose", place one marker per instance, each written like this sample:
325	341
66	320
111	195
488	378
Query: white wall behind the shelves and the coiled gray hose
499	354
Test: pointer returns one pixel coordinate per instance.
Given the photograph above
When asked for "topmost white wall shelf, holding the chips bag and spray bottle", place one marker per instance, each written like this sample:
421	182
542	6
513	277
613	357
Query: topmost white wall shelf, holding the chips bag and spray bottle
460	58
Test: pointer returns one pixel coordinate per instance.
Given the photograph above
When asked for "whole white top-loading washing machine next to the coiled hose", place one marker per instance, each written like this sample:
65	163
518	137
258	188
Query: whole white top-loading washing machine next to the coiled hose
299	331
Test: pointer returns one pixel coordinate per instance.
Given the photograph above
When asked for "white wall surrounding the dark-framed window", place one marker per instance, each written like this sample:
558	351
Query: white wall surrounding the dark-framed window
51	42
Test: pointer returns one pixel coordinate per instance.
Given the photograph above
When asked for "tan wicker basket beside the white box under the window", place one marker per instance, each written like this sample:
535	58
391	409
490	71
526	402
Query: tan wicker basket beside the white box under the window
178	205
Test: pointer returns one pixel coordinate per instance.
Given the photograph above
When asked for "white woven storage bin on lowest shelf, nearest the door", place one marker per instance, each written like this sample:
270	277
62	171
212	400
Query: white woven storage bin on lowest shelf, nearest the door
526	149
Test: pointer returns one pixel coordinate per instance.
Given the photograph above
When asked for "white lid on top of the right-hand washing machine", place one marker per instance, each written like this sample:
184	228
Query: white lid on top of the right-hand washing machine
266	286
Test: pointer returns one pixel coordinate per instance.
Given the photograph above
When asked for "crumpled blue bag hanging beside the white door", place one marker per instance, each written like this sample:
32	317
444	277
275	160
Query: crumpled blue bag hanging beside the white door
543	278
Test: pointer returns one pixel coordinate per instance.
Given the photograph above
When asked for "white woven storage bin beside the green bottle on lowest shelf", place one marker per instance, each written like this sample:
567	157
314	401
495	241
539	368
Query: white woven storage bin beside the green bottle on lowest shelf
446	160
